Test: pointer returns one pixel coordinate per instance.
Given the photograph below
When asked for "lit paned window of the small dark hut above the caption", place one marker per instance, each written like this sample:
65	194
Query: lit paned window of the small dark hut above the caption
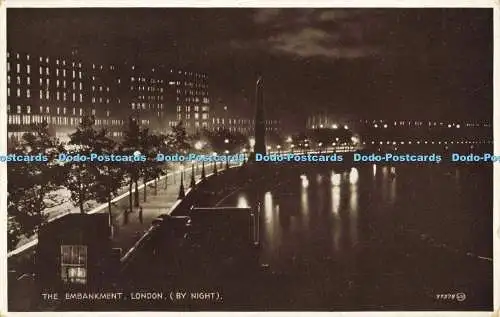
74	264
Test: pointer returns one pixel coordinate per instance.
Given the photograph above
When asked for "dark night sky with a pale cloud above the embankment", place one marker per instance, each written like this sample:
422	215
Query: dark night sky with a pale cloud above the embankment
358	63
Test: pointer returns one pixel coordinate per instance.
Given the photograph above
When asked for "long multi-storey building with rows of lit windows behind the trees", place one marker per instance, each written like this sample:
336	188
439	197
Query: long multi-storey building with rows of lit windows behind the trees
60	90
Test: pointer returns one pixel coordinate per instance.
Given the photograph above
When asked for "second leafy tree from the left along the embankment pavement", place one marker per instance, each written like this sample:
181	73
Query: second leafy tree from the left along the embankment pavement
84	177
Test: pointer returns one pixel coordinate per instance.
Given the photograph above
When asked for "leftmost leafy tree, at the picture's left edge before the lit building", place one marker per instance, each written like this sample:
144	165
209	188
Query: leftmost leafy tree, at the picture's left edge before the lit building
30	182
